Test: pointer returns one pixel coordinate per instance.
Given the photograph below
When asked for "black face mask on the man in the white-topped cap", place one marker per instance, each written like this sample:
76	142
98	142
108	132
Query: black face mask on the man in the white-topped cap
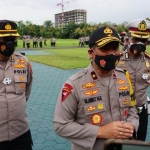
137	48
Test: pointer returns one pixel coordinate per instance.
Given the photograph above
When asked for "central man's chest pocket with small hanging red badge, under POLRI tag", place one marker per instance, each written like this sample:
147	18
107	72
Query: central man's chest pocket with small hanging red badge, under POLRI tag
124	107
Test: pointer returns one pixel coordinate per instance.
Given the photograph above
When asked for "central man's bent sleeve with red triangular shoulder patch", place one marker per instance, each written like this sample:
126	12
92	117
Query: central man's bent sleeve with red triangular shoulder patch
65	123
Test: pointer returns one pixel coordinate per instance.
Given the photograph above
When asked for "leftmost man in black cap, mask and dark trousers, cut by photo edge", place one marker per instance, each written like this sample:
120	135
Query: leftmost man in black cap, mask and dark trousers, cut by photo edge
15	87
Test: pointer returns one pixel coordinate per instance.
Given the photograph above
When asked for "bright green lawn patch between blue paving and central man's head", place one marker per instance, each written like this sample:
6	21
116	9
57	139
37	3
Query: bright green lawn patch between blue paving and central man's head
63	58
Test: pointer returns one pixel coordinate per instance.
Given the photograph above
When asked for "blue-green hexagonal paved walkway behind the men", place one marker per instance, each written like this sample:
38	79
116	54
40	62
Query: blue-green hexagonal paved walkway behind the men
46	87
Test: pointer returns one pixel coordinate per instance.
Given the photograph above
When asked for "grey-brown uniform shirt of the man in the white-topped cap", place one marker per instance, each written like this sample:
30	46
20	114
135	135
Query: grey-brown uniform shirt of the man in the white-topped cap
139	70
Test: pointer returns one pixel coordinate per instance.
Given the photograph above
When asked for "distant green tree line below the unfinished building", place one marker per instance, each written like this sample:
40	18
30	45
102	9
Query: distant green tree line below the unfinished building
71	30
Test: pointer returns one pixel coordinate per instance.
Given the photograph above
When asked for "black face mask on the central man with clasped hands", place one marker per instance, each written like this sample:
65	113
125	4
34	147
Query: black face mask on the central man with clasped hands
107	62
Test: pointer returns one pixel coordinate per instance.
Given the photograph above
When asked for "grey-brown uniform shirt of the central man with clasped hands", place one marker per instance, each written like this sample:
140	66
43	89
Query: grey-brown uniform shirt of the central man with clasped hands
86	102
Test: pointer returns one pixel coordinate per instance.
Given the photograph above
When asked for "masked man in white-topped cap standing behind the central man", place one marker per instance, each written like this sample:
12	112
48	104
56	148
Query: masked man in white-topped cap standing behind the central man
137	62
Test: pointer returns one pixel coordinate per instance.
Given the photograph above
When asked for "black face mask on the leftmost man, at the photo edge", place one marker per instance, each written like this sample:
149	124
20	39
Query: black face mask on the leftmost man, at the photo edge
7	48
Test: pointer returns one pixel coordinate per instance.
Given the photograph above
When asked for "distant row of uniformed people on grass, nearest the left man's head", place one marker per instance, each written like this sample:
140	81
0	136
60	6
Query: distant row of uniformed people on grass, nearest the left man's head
37	42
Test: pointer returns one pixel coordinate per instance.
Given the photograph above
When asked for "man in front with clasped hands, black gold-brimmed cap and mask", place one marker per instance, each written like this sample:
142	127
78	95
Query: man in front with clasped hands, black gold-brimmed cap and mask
95	103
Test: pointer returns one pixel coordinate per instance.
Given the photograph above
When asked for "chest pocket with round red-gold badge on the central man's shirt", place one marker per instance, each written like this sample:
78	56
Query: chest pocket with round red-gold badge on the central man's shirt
96	113
